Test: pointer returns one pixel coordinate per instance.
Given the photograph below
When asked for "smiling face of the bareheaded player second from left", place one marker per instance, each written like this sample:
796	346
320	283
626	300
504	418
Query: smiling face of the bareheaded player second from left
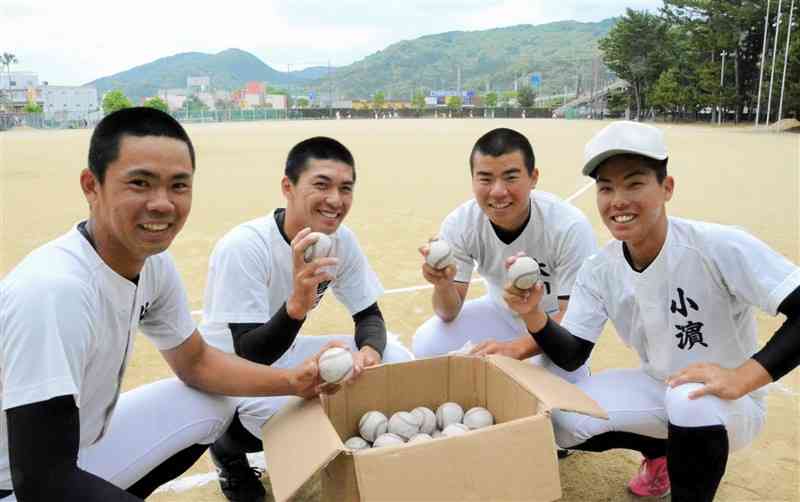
321	198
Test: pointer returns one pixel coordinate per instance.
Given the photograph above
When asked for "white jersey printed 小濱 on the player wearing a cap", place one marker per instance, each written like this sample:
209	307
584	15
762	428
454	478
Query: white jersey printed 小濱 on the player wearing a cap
693	303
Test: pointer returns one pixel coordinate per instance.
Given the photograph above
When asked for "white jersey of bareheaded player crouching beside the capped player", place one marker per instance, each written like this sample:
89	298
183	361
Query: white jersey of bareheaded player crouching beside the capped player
558	236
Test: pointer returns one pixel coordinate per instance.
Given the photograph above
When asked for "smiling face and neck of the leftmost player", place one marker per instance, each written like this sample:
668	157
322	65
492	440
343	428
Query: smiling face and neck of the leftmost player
142	203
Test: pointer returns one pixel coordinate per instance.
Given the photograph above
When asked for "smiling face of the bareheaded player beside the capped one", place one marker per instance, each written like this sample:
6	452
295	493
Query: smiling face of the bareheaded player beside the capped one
502	187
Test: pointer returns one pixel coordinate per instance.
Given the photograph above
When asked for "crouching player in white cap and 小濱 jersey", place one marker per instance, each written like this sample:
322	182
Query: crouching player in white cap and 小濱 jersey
682	293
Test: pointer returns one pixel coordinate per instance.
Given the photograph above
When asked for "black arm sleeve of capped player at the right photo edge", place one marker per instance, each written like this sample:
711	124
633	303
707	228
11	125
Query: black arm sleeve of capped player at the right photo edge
781	354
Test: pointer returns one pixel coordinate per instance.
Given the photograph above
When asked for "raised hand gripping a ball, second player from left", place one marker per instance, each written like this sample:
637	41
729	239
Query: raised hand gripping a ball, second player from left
306	276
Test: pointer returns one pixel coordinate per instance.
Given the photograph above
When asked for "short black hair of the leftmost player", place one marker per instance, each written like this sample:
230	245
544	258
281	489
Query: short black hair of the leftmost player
137	121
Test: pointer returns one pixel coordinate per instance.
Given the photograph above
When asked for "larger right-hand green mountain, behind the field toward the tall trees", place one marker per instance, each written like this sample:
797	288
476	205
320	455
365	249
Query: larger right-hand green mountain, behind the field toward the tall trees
563	52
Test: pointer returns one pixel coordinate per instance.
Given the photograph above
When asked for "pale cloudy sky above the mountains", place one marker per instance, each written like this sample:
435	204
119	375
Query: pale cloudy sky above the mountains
71	43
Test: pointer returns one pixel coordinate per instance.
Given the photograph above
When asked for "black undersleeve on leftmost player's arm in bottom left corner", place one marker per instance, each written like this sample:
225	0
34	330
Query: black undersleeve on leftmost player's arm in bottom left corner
43	441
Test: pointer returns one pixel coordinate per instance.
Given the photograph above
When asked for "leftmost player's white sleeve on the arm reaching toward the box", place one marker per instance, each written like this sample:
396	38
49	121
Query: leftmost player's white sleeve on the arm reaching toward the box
168	322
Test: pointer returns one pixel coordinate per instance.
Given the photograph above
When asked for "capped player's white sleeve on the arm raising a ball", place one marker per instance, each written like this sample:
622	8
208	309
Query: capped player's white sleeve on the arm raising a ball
586	313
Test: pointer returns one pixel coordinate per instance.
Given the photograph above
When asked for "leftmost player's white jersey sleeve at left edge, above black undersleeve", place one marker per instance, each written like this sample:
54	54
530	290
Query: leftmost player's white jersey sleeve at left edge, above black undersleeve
47	332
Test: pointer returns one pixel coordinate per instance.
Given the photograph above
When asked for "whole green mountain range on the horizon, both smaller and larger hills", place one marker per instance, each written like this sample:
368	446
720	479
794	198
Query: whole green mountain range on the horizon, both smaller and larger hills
564	53
